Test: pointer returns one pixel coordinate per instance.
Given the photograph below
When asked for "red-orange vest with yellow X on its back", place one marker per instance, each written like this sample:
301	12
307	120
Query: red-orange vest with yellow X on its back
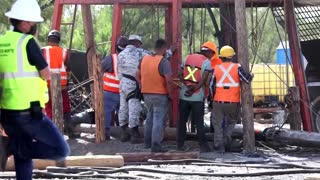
192	69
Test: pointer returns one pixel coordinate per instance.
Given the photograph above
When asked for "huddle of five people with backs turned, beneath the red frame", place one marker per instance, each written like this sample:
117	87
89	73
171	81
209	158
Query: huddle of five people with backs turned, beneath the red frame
133	74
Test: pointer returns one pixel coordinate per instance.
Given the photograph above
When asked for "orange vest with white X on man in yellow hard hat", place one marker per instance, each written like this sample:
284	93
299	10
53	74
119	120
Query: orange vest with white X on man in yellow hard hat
227	82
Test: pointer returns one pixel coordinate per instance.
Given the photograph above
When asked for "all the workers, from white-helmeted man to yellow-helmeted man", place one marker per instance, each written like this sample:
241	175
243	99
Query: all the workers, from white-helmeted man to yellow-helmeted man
131	75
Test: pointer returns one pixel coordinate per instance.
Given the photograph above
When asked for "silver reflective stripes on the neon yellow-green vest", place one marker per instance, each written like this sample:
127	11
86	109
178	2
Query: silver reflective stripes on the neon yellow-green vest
20	70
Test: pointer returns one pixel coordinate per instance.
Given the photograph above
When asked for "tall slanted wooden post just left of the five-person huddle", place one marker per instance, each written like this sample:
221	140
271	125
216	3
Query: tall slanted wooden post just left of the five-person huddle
94	69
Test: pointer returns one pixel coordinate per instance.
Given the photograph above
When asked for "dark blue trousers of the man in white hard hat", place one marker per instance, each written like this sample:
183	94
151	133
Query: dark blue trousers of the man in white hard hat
32	138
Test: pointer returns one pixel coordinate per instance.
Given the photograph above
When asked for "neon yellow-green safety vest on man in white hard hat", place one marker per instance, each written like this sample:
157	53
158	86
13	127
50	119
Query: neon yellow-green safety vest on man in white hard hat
20	82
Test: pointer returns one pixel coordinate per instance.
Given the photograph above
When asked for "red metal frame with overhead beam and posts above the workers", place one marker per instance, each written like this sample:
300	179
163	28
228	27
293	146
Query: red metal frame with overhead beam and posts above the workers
173	17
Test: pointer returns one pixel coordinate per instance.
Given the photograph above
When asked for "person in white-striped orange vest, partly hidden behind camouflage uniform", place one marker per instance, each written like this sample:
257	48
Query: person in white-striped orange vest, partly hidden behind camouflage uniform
111	84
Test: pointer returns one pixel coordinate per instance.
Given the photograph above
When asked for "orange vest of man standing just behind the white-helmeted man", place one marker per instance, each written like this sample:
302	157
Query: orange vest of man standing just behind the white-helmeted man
56	58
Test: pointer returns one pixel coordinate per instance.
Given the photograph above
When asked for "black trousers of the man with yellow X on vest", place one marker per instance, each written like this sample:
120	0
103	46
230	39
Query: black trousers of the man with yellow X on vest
197	109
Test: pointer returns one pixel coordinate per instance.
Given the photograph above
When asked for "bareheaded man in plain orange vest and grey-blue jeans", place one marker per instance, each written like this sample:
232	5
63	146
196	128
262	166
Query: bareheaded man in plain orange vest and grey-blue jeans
154	75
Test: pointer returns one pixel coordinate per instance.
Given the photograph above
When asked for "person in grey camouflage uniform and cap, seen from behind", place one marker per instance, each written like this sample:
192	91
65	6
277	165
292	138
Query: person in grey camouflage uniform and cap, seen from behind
130	95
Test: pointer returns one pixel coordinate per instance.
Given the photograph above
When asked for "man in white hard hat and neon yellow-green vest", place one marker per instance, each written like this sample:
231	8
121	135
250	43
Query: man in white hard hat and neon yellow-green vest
23	72
